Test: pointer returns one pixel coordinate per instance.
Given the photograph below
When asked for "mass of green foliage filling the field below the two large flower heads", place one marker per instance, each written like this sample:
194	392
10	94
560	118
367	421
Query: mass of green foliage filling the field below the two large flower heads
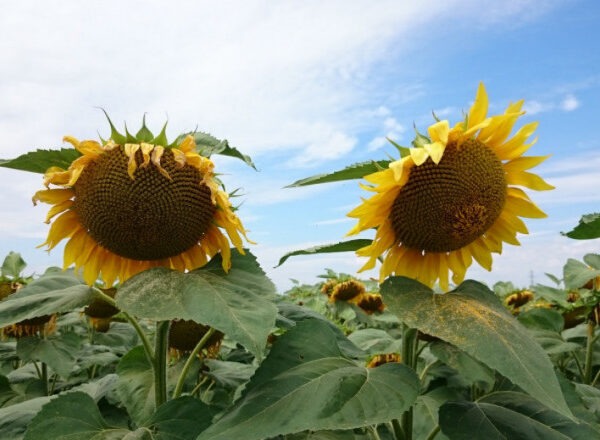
294	366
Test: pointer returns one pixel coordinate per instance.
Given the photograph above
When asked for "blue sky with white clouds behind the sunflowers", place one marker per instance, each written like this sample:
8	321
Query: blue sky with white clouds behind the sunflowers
305	88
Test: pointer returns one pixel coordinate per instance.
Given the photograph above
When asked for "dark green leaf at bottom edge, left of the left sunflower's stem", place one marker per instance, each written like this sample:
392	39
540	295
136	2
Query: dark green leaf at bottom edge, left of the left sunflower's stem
74	416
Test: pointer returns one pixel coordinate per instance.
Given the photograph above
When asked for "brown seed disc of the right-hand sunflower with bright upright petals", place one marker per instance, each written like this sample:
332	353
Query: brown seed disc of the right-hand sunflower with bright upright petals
445	207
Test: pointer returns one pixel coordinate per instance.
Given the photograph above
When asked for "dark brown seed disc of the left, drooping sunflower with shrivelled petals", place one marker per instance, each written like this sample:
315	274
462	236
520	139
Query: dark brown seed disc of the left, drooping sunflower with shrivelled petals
149	217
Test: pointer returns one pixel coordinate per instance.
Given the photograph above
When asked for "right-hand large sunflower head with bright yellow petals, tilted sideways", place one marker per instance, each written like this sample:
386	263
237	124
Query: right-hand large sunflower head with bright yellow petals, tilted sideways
452	198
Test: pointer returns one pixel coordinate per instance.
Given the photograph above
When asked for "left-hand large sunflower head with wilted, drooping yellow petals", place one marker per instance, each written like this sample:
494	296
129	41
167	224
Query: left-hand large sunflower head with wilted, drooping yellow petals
130	203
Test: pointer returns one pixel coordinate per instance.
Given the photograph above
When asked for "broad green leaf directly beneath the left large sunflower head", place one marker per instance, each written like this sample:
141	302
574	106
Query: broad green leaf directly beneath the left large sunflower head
239	303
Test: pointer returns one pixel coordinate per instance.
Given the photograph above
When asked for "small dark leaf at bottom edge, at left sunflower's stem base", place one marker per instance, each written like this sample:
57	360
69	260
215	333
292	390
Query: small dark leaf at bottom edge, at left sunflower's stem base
181	419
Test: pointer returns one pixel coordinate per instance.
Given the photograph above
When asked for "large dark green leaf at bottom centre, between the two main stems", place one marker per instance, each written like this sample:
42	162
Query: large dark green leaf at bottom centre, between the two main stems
308	382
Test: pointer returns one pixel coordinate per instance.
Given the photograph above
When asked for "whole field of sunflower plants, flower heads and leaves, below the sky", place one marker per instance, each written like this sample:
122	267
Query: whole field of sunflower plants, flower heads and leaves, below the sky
161	324
